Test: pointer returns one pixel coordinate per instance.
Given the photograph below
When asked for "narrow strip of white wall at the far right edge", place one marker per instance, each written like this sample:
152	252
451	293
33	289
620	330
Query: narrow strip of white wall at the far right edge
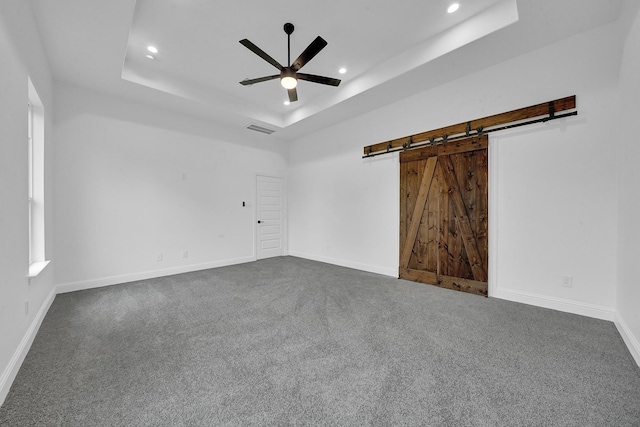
628	292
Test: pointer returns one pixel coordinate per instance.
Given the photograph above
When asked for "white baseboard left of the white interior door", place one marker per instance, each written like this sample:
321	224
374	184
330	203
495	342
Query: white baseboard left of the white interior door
125	278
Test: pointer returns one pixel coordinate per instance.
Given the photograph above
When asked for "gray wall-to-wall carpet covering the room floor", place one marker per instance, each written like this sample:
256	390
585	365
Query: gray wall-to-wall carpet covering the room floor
287	341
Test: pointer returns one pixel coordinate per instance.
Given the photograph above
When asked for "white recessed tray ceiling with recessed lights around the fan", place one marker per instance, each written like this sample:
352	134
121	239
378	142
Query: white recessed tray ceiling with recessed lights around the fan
387	47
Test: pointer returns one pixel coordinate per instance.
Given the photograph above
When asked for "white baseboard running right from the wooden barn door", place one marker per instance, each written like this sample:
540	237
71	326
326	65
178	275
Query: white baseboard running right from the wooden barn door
568	306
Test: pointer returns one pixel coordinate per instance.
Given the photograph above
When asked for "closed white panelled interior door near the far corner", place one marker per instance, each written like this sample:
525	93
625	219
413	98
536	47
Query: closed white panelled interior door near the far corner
270	215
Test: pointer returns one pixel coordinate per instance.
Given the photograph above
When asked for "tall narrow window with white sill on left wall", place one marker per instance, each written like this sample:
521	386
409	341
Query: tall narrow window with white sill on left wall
35	159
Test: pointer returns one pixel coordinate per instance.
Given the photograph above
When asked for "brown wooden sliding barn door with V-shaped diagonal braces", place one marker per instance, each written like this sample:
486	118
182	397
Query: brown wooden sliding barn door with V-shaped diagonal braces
444	215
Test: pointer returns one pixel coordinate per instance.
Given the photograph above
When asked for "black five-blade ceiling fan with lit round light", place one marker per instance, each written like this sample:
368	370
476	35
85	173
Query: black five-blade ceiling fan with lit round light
289	75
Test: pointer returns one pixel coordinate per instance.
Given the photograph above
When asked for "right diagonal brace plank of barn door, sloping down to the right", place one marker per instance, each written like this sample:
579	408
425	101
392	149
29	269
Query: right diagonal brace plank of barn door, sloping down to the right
468	238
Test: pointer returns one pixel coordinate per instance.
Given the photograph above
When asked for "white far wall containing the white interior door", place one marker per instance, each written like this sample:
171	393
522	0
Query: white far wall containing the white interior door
133	182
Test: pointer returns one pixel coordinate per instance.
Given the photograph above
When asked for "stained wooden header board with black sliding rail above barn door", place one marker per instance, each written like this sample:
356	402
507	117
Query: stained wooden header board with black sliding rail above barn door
540	113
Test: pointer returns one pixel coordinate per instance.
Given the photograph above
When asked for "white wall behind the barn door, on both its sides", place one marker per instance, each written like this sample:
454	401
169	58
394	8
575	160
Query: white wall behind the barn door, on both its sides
555	194
